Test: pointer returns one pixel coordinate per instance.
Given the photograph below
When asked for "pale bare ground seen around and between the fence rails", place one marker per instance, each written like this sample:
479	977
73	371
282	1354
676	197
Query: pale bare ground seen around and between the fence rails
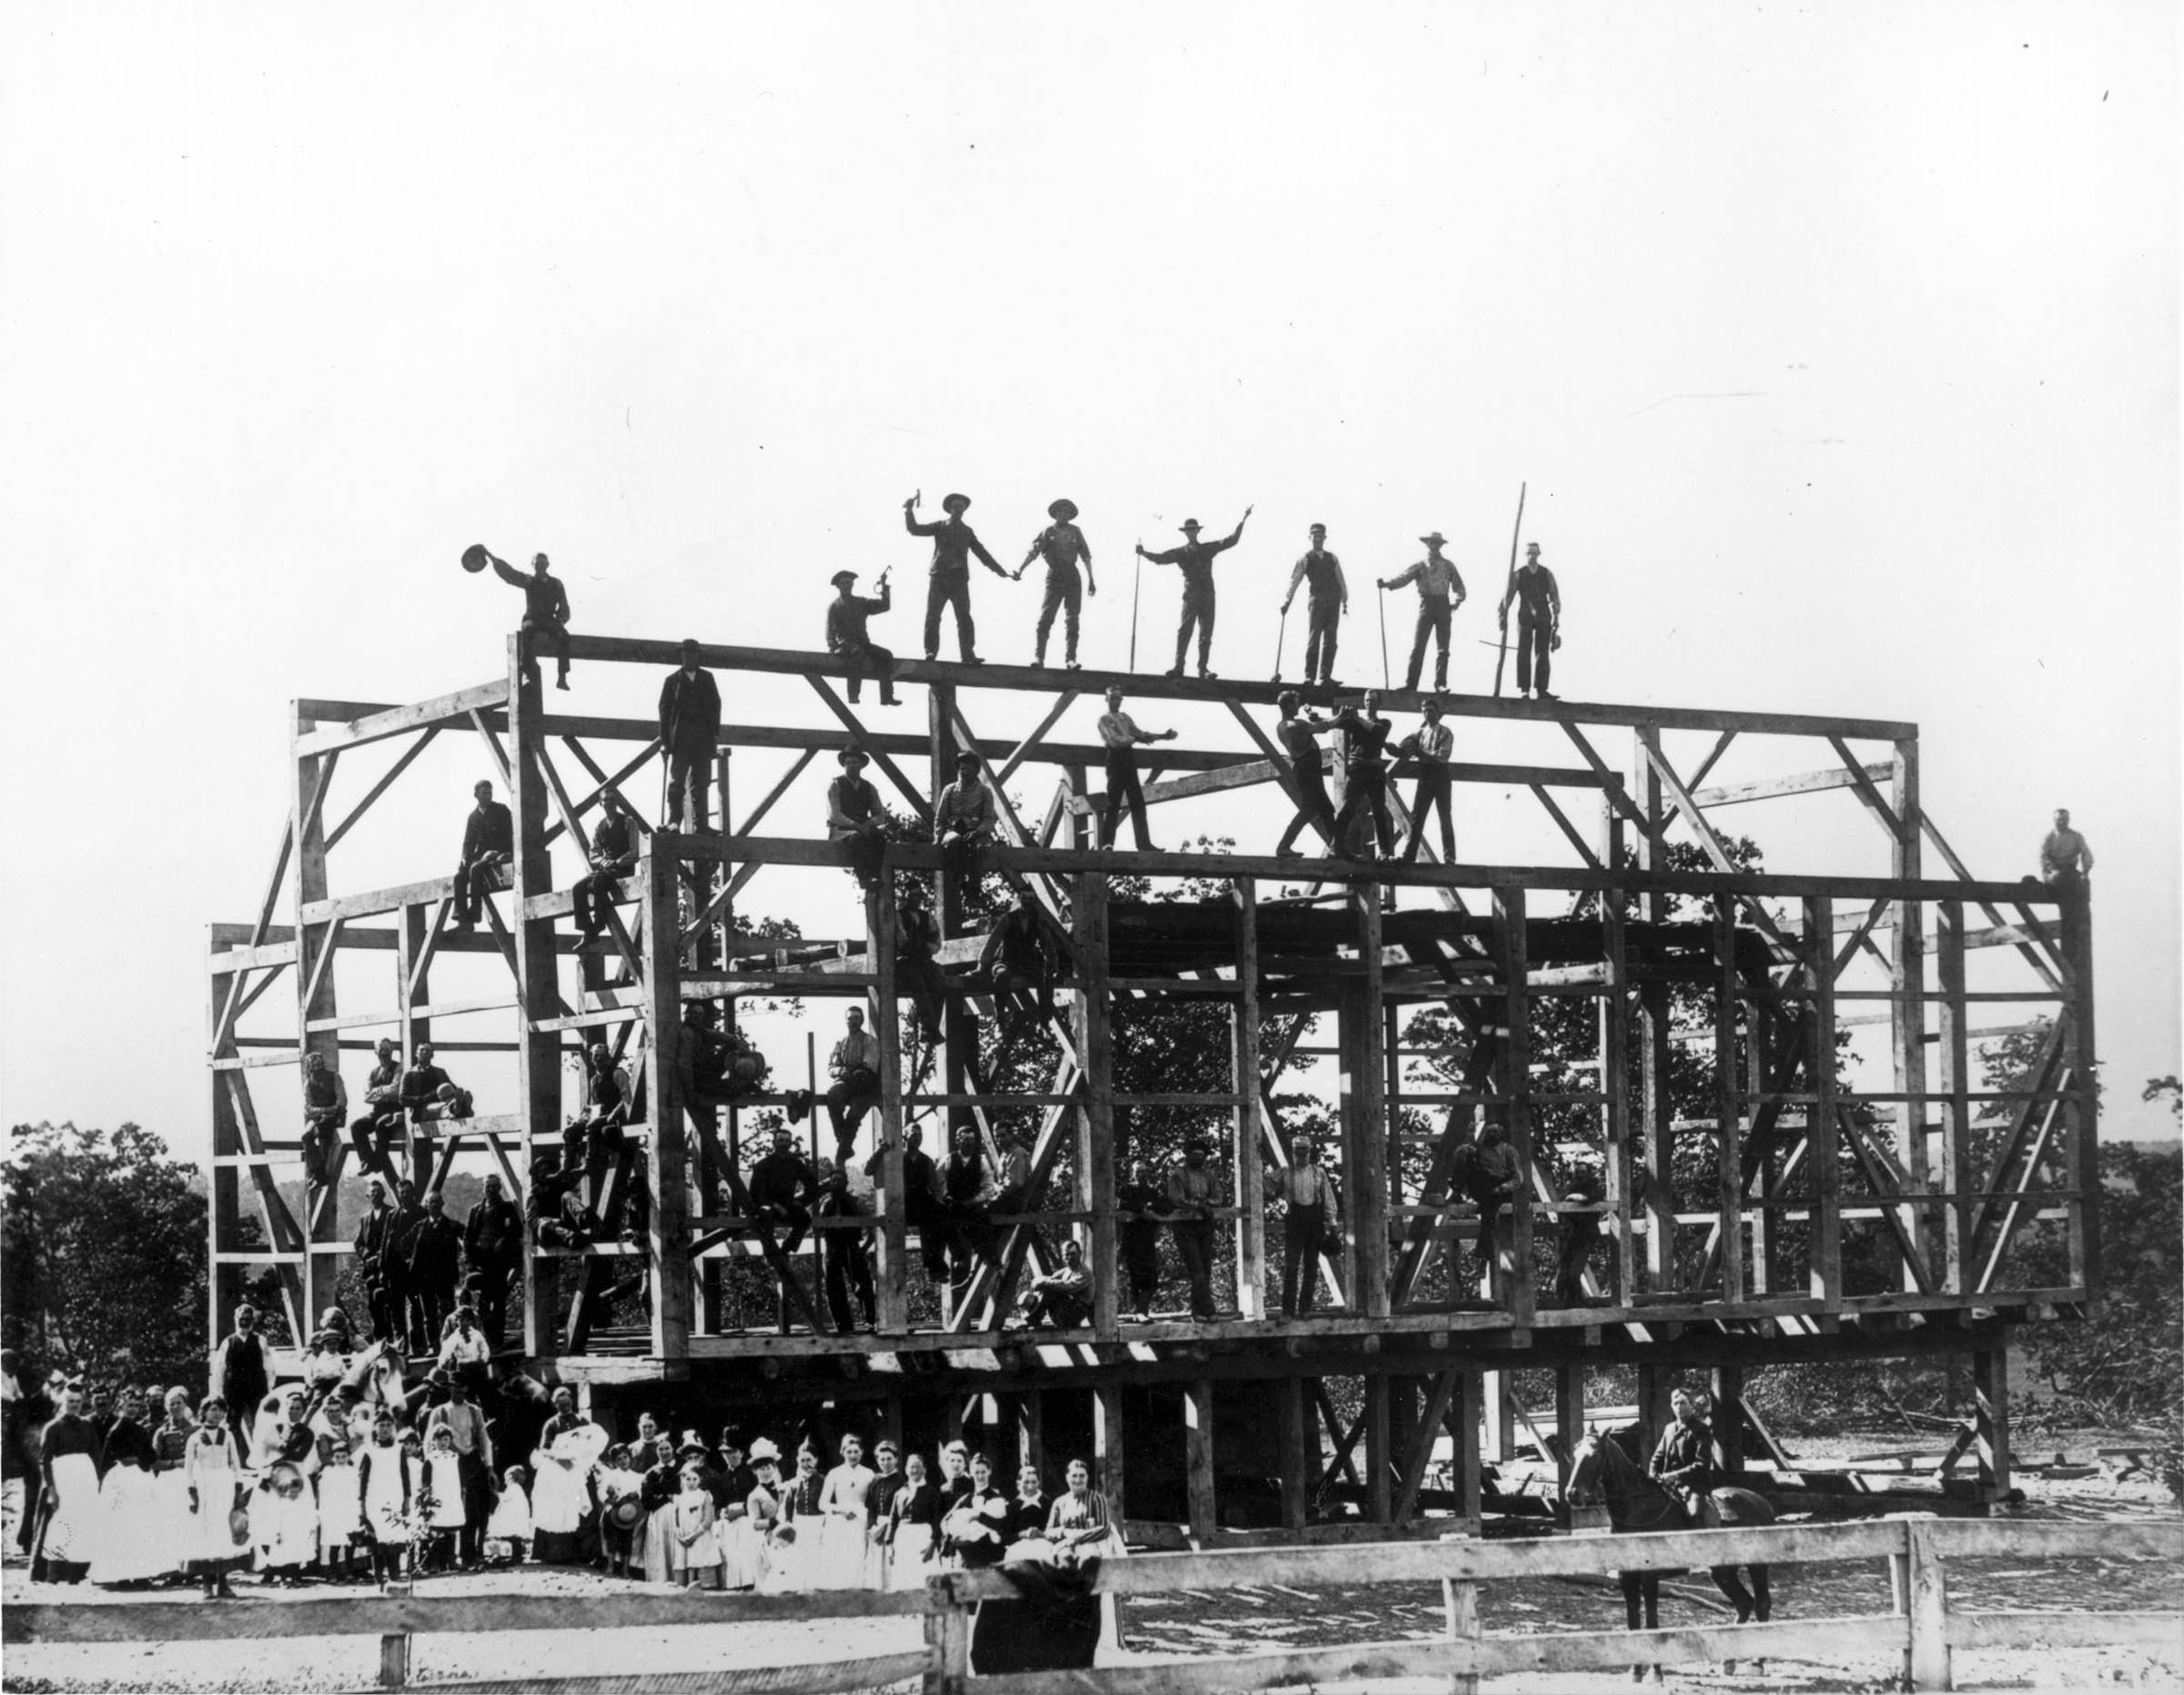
1202	1624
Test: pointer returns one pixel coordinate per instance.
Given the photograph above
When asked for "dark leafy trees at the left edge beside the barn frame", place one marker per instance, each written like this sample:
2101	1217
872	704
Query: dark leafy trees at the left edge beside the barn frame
104	1248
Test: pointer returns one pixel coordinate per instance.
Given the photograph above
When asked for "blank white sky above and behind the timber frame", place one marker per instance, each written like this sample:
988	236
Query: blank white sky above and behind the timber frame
1838	346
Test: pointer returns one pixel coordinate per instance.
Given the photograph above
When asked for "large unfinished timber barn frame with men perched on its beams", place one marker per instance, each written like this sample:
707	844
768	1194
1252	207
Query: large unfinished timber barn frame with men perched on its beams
1488	945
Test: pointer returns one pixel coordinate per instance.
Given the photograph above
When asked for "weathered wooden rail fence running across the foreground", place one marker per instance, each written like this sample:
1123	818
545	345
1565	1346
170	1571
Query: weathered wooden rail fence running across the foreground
1923	1628
